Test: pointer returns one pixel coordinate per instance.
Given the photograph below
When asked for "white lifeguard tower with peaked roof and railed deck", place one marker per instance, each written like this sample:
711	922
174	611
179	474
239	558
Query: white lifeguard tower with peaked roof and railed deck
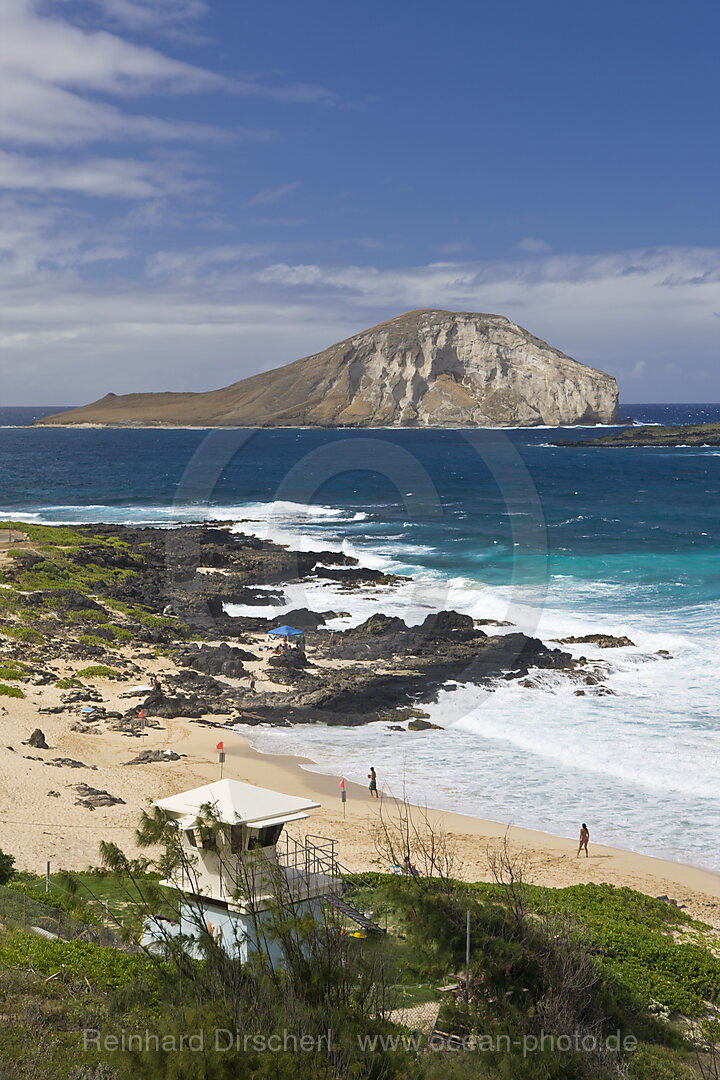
238	867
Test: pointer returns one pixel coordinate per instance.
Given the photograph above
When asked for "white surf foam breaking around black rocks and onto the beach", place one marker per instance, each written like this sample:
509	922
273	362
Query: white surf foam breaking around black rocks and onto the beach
540	758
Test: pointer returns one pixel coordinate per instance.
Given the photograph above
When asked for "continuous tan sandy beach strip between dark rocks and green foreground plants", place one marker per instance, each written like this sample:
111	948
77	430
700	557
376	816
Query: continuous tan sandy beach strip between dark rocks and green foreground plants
37	826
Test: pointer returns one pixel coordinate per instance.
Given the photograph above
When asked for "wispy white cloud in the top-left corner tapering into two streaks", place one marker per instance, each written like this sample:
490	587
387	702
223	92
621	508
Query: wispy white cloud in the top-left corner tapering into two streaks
50	70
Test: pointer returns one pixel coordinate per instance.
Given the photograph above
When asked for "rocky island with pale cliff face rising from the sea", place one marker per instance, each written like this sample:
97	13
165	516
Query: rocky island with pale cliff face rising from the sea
426	369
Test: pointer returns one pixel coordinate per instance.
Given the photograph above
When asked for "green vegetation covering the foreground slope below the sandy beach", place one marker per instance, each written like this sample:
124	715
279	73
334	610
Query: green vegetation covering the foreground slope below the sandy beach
590	982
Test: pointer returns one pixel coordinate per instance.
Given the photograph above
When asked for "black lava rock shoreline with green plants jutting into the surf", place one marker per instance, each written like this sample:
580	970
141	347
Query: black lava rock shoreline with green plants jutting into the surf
113	599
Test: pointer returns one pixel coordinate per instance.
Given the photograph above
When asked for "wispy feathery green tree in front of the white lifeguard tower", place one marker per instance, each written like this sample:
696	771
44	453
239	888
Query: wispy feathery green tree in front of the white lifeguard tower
327	989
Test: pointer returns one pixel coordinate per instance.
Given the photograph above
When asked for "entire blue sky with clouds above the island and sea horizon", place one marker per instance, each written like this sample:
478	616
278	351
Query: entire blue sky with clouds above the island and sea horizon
194	191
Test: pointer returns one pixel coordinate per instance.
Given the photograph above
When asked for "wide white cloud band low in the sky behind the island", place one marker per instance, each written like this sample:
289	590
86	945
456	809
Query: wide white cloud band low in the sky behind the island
208	317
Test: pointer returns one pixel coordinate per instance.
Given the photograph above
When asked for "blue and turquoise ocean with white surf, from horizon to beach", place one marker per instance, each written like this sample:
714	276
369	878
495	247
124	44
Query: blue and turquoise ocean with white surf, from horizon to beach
497	524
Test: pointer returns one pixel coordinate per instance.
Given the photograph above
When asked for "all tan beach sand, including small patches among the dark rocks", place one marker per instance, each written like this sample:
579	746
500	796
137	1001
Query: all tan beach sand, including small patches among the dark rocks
43	816
